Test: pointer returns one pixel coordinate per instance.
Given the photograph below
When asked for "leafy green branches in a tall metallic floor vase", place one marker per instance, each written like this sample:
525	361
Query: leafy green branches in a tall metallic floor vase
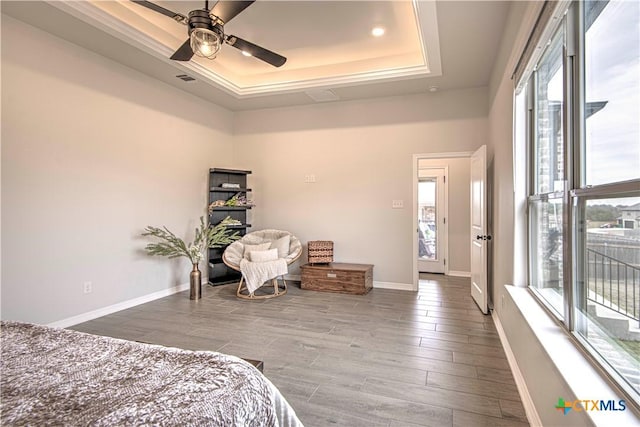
172	246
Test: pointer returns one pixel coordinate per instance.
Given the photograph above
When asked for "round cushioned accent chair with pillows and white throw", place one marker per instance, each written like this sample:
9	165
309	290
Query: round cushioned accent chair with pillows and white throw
259	248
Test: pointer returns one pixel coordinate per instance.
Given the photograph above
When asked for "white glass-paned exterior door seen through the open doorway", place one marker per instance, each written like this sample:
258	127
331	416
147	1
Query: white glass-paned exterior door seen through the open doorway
432	233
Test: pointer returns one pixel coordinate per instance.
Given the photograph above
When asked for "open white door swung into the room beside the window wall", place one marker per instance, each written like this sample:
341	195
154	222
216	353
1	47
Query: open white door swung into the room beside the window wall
479	236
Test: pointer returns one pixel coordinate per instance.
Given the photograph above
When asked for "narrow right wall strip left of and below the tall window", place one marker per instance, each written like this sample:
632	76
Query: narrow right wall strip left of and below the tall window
541	379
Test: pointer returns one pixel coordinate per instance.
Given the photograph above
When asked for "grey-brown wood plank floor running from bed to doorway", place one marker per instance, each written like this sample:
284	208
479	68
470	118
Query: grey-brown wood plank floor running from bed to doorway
388	358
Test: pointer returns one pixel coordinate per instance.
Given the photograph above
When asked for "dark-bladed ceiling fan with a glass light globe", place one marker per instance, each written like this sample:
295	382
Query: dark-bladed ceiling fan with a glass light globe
206	31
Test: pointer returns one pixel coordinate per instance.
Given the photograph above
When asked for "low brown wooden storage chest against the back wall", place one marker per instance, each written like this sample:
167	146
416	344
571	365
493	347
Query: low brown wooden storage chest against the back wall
338	277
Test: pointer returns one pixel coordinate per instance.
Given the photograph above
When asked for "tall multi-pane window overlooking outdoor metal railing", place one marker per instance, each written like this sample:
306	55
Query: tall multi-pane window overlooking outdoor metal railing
583	107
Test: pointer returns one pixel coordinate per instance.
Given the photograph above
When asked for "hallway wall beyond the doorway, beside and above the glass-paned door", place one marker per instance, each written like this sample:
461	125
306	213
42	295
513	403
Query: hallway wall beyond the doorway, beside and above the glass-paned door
459	210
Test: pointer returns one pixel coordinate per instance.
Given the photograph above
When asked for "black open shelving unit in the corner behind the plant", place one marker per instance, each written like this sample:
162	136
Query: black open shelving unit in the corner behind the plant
219	273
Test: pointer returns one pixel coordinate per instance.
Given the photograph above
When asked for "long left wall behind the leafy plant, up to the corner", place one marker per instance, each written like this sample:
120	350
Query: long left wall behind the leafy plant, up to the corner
92	152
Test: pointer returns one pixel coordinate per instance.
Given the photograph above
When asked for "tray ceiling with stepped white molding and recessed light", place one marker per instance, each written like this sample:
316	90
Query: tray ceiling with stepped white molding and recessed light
331	53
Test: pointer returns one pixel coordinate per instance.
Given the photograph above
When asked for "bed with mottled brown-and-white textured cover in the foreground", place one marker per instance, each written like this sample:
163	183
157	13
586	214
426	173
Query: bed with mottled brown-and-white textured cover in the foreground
53	376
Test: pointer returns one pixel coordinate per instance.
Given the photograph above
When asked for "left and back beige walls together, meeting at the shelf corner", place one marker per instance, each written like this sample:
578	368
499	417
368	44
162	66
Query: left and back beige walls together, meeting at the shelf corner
94	151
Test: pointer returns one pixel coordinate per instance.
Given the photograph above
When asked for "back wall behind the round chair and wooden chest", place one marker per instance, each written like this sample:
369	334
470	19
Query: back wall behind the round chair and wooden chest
361	155
